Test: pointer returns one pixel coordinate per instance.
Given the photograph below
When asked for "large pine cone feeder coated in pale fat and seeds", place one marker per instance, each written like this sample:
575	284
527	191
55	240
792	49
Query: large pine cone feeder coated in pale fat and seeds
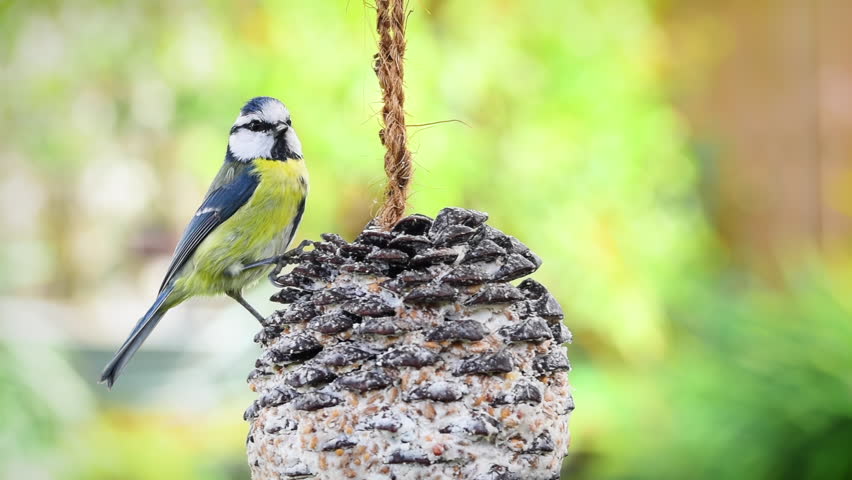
408	355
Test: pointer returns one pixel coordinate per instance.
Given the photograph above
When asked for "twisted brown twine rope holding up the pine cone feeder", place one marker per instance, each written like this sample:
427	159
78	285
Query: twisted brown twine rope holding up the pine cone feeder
388	67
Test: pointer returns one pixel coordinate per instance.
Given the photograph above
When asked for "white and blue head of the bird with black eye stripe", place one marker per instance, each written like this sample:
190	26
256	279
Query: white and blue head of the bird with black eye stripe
264	130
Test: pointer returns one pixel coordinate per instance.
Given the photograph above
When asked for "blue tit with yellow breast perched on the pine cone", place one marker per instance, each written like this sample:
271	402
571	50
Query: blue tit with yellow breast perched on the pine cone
248	218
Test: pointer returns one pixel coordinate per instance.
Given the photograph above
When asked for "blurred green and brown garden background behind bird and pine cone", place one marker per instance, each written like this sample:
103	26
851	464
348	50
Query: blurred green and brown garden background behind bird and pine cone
683	167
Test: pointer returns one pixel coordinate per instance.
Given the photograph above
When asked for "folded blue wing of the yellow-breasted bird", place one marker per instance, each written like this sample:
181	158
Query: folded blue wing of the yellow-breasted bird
221	202
